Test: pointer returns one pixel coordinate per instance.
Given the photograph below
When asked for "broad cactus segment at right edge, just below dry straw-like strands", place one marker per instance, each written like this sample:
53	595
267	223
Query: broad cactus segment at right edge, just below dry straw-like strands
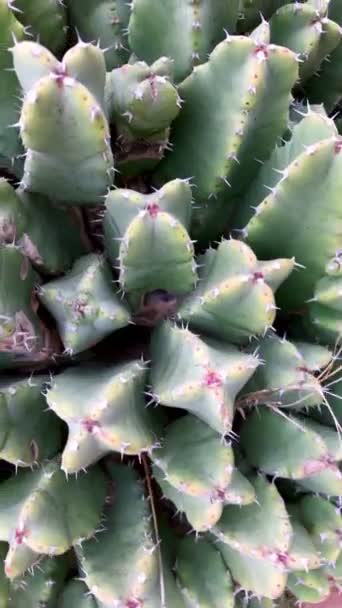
293	448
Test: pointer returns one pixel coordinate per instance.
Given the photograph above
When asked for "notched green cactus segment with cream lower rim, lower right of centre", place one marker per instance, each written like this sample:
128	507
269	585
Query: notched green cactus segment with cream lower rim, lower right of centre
259	530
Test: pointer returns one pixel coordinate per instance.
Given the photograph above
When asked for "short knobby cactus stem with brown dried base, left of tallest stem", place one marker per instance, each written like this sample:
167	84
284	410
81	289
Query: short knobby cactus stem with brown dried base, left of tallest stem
142	102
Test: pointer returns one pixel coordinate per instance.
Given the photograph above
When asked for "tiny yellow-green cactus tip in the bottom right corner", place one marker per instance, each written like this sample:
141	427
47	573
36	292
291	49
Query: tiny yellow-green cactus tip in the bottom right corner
312	586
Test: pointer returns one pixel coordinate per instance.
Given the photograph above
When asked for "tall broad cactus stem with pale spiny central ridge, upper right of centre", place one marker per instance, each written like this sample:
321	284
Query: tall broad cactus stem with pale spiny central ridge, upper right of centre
218	141
